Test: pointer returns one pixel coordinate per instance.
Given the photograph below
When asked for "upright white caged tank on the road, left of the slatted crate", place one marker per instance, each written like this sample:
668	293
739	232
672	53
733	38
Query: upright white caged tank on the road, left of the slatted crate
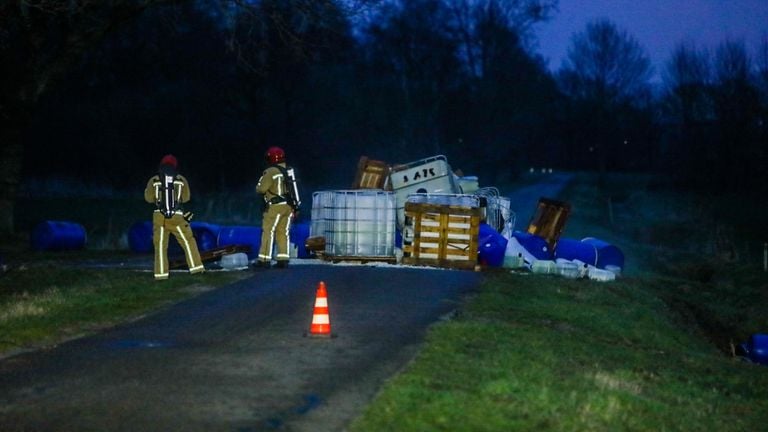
355	223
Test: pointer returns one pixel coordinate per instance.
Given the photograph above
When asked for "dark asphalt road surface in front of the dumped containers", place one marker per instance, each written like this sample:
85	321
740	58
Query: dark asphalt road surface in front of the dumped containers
236	359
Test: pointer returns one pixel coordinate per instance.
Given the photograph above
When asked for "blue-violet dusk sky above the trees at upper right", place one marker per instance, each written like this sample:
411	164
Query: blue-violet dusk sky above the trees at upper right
658	25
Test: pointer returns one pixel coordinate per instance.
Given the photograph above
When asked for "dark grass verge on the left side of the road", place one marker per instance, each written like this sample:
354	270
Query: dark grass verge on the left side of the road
43	302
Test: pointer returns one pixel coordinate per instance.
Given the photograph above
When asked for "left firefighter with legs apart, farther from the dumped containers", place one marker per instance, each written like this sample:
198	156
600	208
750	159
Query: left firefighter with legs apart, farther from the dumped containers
168	190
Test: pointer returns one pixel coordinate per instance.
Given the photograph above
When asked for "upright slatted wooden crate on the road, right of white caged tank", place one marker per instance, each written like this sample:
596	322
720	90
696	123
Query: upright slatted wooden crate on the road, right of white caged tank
443	235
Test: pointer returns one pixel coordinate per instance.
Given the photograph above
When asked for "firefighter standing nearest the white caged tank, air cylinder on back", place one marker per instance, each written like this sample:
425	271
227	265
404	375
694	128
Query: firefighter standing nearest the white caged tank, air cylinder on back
276	222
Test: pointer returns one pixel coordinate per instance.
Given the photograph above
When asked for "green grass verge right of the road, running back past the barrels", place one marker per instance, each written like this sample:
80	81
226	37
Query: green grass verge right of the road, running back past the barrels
649	351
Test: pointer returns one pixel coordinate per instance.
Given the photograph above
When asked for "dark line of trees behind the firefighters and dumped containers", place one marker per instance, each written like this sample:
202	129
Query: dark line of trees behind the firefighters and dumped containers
216	84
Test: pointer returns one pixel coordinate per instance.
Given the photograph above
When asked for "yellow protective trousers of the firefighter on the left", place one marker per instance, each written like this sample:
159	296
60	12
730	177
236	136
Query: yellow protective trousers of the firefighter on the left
162	228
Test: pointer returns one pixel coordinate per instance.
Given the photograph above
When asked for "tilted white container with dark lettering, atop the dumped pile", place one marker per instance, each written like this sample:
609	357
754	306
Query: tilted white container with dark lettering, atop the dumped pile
432	175
